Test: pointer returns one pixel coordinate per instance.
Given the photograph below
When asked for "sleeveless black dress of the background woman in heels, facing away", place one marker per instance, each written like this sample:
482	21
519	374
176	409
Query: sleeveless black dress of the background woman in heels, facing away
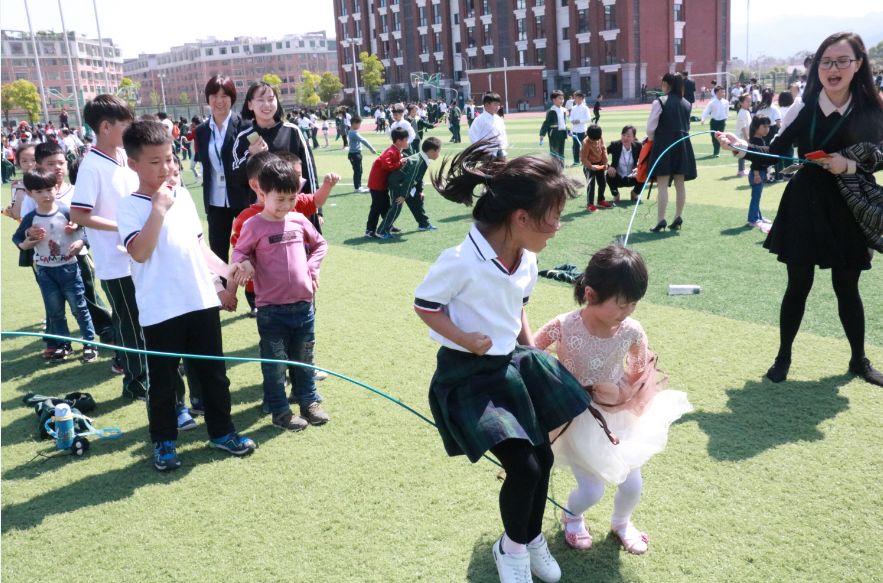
674	123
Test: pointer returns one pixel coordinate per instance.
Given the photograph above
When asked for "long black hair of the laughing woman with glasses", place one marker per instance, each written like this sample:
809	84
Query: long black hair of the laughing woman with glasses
865	95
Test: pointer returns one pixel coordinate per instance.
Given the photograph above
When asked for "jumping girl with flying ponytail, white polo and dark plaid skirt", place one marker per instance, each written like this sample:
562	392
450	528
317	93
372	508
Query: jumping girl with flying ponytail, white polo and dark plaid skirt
491	391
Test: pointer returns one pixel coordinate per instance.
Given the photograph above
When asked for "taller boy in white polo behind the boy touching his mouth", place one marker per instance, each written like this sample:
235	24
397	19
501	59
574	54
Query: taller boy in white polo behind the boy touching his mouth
102	180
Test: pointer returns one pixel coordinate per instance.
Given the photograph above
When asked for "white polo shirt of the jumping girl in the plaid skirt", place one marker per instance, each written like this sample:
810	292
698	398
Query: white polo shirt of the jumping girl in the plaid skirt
478	292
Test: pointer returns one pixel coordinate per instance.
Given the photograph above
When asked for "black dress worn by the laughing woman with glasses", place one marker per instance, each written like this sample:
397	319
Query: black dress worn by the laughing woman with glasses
814	226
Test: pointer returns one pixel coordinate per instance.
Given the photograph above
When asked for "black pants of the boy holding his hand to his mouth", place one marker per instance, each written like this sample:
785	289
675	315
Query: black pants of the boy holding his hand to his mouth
196	332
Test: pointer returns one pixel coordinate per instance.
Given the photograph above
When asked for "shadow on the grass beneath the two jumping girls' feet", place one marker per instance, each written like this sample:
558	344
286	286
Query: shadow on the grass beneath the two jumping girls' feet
601	563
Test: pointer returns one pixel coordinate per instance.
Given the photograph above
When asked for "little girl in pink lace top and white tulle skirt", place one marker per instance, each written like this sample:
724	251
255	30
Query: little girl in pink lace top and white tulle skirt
606	350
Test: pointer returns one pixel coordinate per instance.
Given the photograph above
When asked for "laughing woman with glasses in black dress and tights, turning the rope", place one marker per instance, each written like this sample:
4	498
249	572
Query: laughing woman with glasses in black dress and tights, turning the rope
814	227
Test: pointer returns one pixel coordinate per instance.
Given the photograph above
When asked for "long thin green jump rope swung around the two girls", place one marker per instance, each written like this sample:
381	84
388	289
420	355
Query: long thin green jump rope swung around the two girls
356	382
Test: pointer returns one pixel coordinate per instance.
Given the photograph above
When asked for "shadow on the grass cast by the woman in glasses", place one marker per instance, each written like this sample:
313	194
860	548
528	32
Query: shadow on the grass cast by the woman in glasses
763	415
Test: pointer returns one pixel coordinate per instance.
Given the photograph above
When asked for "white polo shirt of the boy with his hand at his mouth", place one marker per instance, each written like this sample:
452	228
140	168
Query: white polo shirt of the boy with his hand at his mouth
175	279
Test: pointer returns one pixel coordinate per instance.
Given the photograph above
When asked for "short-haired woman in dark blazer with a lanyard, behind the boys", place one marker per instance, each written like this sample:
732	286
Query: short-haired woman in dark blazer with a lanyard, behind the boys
223	197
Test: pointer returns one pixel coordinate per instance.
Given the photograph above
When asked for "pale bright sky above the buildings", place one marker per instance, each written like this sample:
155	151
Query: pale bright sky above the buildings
774	28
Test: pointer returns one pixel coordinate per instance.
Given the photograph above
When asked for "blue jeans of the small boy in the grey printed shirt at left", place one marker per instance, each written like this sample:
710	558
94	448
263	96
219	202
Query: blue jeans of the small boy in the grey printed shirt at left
57	285
